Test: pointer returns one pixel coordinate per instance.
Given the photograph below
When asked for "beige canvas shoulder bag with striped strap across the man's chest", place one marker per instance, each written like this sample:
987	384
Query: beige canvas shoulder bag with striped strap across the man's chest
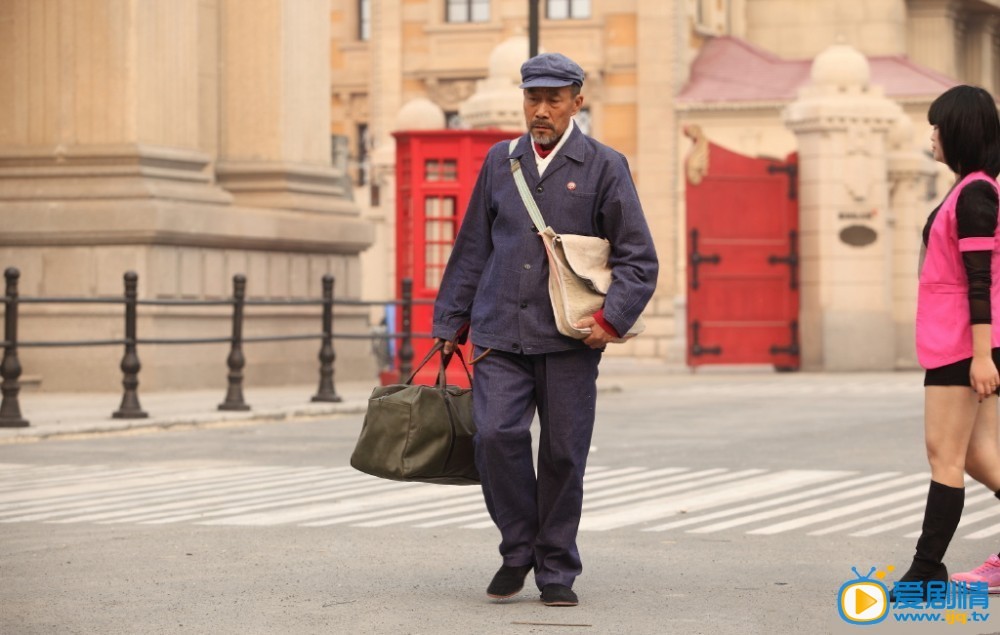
579	275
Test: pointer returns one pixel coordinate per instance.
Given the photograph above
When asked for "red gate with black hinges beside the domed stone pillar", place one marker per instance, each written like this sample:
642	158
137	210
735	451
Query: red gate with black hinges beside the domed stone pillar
742	258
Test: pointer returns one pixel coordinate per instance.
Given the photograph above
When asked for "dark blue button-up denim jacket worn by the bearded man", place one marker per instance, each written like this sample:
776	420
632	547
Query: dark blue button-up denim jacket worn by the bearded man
497	275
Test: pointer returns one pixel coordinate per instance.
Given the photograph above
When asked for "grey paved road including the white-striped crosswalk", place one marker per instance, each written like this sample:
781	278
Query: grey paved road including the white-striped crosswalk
716	503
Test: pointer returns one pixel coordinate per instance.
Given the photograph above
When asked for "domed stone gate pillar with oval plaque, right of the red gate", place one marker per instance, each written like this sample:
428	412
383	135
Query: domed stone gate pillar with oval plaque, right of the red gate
846	245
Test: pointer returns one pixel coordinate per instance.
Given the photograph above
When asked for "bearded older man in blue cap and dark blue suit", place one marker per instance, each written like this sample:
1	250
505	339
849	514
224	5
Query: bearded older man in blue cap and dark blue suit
496	282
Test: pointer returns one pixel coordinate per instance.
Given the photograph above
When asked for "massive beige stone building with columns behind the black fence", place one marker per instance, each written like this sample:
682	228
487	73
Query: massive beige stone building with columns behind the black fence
186	140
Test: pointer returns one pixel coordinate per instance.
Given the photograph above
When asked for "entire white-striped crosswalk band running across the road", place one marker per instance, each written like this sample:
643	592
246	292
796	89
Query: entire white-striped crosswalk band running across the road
704	500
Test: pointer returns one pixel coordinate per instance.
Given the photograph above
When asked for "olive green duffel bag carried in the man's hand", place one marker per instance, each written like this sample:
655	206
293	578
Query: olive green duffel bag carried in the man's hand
420	433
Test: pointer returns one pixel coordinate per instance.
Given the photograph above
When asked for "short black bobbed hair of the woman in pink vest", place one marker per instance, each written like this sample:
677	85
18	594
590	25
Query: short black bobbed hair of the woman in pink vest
968	130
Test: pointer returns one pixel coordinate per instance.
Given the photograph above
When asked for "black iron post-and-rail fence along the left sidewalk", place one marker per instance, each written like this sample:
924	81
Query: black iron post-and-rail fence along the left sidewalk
10	368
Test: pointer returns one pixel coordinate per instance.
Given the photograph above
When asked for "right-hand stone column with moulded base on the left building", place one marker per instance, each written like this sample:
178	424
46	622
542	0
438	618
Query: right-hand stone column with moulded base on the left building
271	152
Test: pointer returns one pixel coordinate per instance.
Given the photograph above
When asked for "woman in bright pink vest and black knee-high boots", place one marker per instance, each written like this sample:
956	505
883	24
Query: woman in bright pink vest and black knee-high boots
958	330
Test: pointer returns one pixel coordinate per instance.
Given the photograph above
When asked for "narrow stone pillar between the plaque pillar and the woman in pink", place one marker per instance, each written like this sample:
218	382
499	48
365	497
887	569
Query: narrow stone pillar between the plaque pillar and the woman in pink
911	174
